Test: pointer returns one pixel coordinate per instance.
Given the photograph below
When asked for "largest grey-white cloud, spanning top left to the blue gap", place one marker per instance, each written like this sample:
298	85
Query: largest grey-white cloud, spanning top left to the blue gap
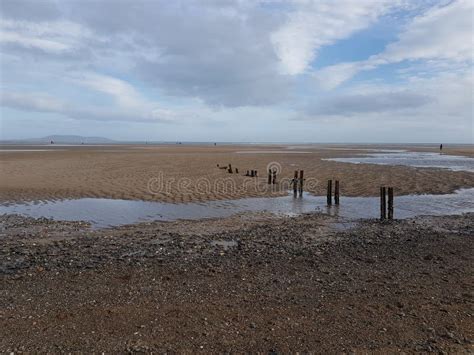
232	53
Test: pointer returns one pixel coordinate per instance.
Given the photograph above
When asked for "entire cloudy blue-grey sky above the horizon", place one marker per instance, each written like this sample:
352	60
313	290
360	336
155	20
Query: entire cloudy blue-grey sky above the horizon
240	71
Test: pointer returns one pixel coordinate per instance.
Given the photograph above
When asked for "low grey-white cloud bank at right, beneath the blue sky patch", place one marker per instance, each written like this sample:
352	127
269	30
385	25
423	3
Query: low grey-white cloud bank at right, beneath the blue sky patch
441	104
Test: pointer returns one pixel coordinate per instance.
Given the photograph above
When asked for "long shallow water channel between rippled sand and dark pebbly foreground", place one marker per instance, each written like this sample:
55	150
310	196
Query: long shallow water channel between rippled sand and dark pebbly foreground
103	213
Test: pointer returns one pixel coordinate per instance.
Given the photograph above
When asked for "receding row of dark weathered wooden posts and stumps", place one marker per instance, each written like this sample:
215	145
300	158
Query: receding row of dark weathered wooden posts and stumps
386	193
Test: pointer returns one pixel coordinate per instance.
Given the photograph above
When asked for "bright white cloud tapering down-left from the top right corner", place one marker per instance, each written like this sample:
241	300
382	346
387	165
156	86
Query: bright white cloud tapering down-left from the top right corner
443	33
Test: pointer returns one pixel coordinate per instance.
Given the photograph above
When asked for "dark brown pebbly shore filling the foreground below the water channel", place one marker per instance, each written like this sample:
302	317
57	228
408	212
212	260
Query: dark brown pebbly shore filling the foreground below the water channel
244	283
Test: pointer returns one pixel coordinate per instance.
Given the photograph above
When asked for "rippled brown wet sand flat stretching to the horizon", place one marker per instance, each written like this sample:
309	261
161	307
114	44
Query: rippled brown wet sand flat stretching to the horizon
190	173
